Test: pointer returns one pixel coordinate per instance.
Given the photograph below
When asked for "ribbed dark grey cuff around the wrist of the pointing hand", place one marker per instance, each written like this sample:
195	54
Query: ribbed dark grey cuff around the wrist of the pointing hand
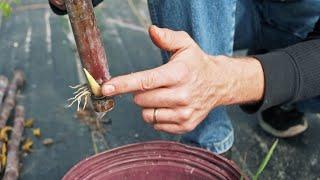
280	80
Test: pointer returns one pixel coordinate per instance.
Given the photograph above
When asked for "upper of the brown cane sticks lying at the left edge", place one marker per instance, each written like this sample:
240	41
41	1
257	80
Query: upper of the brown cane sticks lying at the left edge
9	101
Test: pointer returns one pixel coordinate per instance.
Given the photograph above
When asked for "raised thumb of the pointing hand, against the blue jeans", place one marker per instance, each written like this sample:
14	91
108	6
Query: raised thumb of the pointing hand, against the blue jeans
170	40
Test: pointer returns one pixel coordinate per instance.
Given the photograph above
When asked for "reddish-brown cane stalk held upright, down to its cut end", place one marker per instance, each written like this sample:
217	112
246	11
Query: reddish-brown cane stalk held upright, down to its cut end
91	50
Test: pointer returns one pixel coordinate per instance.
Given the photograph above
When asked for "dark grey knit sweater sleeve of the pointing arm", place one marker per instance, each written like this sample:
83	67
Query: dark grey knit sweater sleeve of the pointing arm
291	74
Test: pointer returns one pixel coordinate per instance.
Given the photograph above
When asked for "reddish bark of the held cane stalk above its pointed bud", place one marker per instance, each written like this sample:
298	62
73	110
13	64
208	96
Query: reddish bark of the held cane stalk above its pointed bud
88	40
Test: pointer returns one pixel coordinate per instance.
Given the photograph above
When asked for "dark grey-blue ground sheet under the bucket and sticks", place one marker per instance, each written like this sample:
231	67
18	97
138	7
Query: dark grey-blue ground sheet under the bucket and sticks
41	43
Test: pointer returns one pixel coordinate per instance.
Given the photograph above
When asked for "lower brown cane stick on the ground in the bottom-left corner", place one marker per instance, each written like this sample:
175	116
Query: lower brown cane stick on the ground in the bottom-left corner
12	168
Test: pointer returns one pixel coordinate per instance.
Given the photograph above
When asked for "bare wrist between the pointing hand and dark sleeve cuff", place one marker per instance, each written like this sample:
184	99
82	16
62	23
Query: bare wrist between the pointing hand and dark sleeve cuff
245	78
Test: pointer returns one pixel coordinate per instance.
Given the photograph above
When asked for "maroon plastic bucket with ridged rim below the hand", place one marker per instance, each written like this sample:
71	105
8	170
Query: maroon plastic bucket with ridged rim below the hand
155	160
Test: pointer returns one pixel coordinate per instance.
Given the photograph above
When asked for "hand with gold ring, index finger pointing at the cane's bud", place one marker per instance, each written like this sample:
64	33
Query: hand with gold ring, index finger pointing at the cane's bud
177	96
